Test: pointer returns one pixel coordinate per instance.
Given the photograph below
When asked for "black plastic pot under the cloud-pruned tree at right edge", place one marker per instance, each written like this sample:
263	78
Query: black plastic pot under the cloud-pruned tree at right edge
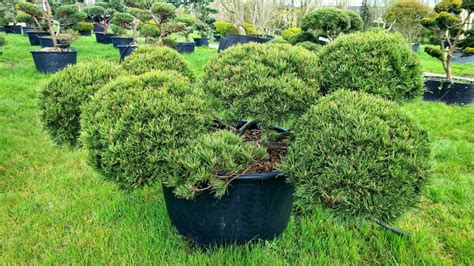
461	93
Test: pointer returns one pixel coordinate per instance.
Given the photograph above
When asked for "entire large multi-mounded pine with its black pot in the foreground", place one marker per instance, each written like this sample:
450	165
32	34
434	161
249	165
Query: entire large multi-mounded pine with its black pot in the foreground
228	171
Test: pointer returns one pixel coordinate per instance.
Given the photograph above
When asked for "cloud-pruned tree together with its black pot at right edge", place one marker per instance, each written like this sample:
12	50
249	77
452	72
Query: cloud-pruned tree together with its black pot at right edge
448	24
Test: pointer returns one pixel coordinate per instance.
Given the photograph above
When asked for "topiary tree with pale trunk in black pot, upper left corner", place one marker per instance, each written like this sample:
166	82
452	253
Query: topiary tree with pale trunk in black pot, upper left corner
54	58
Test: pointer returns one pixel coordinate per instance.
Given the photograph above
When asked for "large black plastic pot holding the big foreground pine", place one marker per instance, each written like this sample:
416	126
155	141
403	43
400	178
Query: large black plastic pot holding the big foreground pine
256	206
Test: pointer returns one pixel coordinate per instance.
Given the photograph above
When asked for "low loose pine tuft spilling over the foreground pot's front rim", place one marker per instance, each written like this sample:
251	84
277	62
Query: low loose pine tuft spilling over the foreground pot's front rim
210	161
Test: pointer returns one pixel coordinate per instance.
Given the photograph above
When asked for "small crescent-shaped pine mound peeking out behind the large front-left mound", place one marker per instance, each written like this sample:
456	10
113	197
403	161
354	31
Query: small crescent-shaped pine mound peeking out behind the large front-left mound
148	58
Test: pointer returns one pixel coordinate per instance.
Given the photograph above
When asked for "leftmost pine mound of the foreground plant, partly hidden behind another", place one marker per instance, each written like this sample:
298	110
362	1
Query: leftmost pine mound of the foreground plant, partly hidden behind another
62	97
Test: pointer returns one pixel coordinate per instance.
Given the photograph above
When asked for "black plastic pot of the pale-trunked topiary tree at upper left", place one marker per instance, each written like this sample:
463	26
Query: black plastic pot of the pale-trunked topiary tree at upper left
53	61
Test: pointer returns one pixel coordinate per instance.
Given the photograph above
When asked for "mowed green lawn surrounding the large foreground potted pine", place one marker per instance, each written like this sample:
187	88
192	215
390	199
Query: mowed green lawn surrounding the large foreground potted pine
55	209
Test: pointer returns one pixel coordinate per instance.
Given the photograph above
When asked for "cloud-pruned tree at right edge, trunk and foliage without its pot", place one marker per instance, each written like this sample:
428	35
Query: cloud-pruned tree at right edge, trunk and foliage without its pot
447	23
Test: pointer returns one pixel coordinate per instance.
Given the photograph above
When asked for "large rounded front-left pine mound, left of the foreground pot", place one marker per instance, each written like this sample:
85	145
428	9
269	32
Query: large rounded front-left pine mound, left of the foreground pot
132	126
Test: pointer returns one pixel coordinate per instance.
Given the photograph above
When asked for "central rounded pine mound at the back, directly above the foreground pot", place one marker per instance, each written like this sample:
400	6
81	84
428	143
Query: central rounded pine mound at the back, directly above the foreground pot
266	82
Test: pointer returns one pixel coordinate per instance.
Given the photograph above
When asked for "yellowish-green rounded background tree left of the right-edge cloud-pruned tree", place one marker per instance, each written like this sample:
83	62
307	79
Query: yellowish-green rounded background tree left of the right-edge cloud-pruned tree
405	16
